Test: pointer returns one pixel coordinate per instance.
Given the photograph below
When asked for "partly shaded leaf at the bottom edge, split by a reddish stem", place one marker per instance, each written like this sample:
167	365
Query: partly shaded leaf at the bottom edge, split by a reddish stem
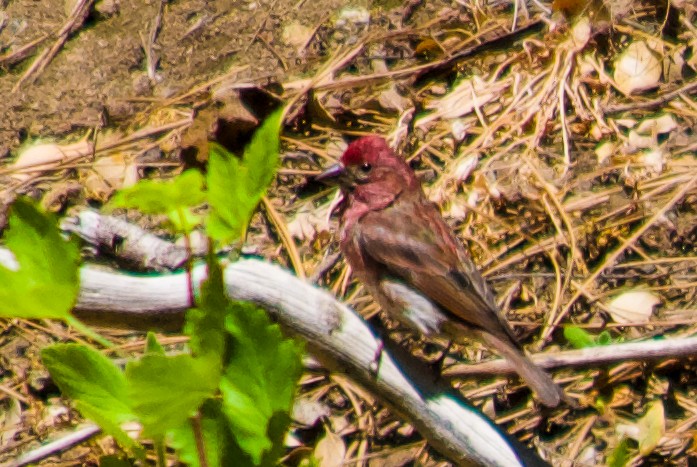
220	447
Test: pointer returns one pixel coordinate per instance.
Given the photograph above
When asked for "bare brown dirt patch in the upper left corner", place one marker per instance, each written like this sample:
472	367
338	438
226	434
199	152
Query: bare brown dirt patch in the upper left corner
100	75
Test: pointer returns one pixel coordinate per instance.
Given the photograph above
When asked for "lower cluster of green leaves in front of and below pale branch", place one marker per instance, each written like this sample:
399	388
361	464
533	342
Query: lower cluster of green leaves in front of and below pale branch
242	415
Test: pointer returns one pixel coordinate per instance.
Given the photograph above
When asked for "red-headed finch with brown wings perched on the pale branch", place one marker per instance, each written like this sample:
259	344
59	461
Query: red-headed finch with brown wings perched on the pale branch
406	256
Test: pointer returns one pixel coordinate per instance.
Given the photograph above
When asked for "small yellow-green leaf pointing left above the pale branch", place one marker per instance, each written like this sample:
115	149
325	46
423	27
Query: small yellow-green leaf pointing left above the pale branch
173	197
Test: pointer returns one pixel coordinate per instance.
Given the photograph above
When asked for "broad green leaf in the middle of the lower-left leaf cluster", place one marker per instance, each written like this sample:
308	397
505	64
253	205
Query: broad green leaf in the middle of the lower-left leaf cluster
166	391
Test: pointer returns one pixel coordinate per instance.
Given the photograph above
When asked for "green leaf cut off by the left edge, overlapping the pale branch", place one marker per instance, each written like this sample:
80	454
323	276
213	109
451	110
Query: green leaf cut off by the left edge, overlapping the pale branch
46	284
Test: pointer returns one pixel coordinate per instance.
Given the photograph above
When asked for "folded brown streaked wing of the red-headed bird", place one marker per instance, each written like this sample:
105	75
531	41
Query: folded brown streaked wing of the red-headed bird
412	242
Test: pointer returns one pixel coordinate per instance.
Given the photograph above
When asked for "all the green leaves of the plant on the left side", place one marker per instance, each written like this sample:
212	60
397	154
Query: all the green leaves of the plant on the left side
230	397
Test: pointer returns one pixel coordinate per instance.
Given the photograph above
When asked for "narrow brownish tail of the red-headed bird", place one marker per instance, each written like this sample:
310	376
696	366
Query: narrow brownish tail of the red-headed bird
548	392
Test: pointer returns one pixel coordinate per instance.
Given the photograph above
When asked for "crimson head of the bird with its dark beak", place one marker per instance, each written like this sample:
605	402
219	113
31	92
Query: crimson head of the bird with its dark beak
370	161
